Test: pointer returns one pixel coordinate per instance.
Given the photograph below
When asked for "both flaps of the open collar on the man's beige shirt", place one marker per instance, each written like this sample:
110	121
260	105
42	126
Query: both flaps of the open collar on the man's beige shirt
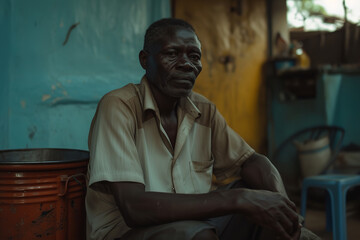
185	103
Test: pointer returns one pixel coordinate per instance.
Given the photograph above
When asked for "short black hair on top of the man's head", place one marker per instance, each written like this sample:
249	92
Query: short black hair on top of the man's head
160	27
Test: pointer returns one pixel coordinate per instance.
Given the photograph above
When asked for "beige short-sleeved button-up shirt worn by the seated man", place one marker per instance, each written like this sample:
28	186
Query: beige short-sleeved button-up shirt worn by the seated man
128	143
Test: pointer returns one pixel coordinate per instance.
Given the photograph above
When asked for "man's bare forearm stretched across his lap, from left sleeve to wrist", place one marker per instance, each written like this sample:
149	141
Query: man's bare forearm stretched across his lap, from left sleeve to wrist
141	208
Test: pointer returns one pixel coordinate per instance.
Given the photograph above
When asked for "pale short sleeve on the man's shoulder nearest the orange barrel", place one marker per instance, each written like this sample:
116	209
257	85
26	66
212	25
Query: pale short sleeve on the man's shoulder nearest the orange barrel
113	153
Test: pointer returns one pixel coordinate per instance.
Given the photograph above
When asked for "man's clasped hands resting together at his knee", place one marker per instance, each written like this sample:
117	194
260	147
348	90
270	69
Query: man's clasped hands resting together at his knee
273	211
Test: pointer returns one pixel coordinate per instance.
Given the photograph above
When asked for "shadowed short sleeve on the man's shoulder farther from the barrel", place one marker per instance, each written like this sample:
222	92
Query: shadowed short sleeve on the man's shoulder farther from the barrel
229	149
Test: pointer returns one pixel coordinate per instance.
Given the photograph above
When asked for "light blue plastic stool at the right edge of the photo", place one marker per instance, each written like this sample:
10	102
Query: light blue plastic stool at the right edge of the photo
337	186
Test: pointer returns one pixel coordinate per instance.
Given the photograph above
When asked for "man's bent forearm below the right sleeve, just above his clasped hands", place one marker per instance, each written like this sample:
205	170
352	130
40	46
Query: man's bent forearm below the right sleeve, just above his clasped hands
259	173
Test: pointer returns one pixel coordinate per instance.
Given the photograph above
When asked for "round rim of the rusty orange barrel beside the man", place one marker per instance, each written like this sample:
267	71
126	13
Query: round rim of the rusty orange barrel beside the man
63	161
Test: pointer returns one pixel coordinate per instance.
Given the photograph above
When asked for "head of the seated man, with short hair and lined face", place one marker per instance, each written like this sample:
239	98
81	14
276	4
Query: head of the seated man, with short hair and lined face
171	57
